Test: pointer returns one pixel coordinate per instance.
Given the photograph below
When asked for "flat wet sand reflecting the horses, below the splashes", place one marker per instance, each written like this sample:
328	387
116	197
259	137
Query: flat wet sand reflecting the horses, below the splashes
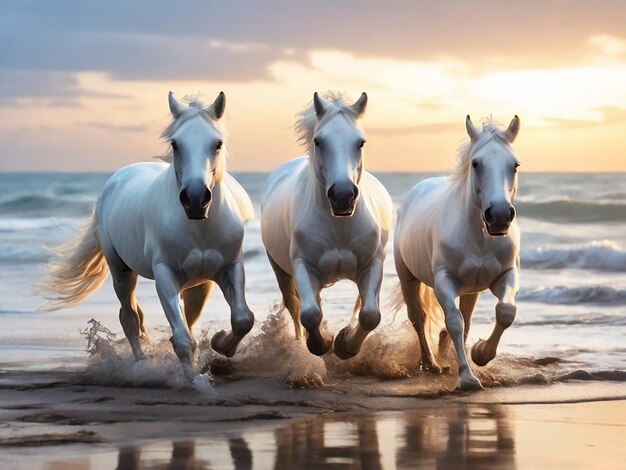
59	420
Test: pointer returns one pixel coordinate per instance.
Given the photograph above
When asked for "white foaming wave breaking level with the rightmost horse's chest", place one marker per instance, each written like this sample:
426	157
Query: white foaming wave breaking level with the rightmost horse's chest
599	254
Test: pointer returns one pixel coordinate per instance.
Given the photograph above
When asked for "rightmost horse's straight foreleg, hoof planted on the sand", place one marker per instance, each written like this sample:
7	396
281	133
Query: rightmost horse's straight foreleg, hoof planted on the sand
446	291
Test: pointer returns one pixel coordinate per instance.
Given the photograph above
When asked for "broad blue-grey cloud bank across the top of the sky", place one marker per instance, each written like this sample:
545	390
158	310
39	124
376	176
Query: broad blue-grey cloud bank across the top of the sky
238	40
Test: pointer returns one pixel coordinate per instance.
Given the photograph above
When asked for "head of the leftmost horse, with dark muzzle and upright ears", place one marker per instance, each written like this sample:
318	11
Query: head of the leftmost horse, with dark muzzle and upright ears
196	141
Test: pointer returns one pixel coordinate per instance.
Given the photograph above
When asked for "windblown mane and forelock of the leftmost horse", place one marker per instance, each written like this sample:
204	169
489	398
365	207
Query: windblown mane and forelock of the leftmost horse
198	106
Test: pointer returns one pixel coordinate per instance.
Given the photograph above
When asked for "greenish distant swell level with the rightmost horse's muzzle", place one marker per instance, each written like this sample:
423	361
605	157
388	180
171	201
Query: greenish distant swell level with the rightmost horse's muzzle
566	211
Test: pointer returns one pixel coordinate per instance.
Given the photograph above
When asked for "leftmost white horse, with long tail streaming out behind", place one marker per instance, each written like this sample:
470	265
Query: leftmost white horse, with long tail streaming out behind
180	224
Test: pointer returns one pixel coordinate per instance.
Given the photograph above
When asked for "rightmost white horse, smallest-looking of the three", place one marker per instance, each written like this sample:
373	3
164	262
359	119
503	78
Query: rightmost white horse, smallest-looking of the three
456	237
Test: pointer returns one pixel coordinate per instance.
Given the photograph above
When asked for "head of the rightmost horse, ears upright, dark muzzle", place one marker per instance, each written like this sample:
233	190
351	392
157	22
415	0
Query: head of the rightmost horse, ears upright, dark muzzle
493	173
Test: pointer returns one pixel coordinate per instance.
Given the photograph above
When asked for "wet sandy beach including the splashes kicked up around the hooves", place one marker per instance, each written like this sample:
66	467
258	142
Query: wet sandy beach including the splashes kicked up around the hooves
274	405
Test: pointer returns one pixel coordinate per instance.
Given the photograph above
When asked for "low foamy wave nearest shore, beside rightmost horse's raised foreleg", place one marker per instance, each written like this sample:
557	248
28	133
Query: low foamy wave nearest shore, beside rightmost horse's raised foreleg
561	295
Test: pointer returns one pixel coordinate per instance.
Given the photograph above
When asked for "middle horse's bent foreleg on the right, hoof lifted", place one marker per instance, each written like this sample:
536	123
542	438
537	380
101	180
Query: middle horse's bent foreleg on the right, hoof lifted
349	340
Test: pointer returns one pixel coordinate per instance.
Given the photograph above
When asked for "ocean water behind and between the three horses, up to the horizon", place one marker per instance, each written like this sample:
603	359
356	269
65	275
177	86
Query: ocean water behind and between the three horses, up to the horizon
572	302
